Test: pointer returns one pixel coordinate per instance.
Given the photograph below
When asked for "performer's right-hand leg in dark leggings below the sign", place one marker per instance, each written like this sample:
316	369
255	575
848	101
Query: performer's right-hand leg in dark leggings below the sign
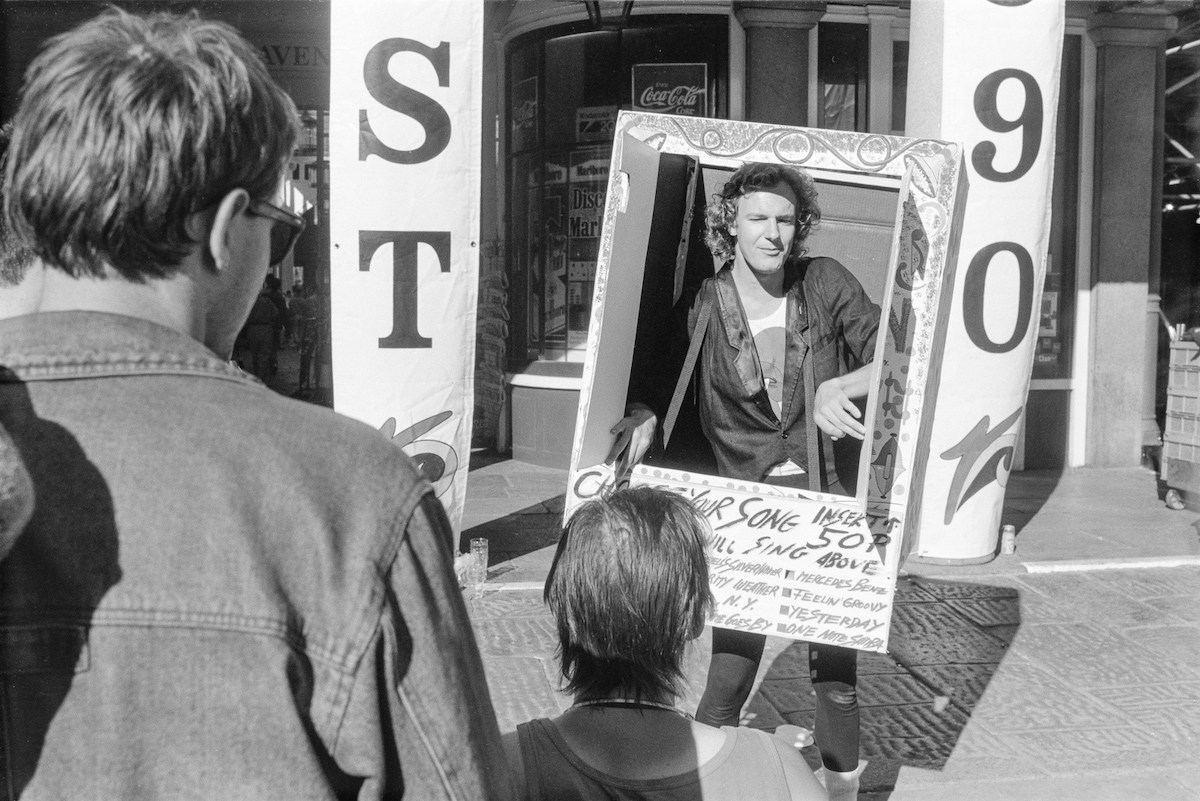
835	673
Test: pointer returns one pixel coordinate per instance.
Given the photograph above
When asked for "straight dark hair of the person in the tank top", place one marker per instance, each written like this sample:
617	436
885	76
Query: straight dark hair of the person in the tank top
629	591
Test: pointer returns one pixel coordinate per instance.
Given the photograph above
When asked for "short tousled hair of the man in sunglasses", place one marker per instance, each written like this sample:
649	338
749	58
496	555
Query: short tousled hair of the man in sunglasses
128	125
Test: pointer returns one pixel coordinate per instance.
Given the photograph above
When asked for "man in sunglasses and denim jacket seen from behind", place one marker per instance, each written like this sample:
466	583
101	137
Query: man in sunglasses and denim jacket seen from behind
221	593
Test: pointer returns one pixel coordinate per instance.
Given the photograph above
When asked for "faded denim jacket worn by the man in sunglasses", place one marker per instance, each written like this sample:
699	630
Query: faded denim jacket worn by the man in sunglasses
223	594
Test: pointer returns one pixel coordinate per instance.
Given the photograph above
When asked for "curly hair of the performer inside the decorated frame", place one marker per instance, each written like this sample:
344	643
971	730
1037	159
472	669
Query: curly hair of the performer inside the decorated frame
755	177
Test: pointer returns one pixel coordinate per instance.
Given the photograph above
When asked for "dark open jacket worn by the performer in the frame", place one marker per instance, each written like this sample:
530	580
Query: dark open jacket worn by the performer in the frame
830	320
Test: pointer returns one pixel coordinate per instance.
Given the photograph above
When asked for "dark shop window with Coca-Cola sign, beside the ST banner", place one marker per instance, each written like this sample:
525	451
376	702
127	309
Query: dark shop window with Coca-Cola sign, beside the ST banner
565	91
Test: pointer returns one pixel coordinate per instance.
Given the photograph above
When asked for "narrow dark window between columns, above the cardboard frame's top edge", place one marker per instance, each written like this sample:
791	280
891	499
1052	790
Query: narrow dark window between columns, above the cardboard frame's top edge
842	76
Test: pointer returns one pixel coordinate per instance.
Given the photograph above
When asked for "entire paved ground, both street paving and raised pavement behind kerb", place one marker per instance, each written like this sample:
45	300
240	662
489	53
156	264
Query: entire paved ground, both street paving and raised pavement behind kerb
1001	682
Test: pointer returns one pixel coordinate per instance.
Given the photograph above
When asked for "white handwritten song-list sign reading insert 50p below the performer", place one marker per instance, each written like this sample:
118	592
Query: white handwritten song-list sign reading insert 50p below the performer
788	563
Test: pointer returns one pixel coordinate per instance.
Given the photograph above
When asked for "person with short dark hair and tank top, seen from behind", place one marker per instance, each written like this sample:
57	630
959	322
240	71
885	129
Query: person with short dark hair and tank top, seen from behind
629	592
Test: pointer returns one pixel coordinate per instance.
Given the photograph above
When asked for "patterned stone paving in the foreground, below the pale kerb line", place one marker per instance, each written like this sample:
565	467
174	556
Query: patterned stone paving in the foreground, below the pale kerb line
1031	686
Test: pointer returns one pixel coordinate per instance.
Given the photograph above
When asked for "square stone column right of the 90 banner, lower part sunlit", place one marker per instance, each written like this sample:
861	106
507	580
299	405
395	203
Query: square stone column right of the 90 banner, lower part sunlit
1126	225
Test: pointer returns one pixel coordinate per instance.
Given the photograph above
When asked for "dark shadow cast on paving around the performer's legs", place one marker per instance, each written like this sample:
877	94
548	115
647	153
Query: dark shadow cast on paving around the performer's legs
949	640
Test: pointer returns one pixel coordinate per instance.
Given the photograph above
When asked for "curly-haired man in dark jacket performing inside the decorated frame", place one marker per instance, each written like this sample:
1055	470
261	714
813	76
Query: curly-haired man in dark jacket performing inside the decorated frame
787	341
